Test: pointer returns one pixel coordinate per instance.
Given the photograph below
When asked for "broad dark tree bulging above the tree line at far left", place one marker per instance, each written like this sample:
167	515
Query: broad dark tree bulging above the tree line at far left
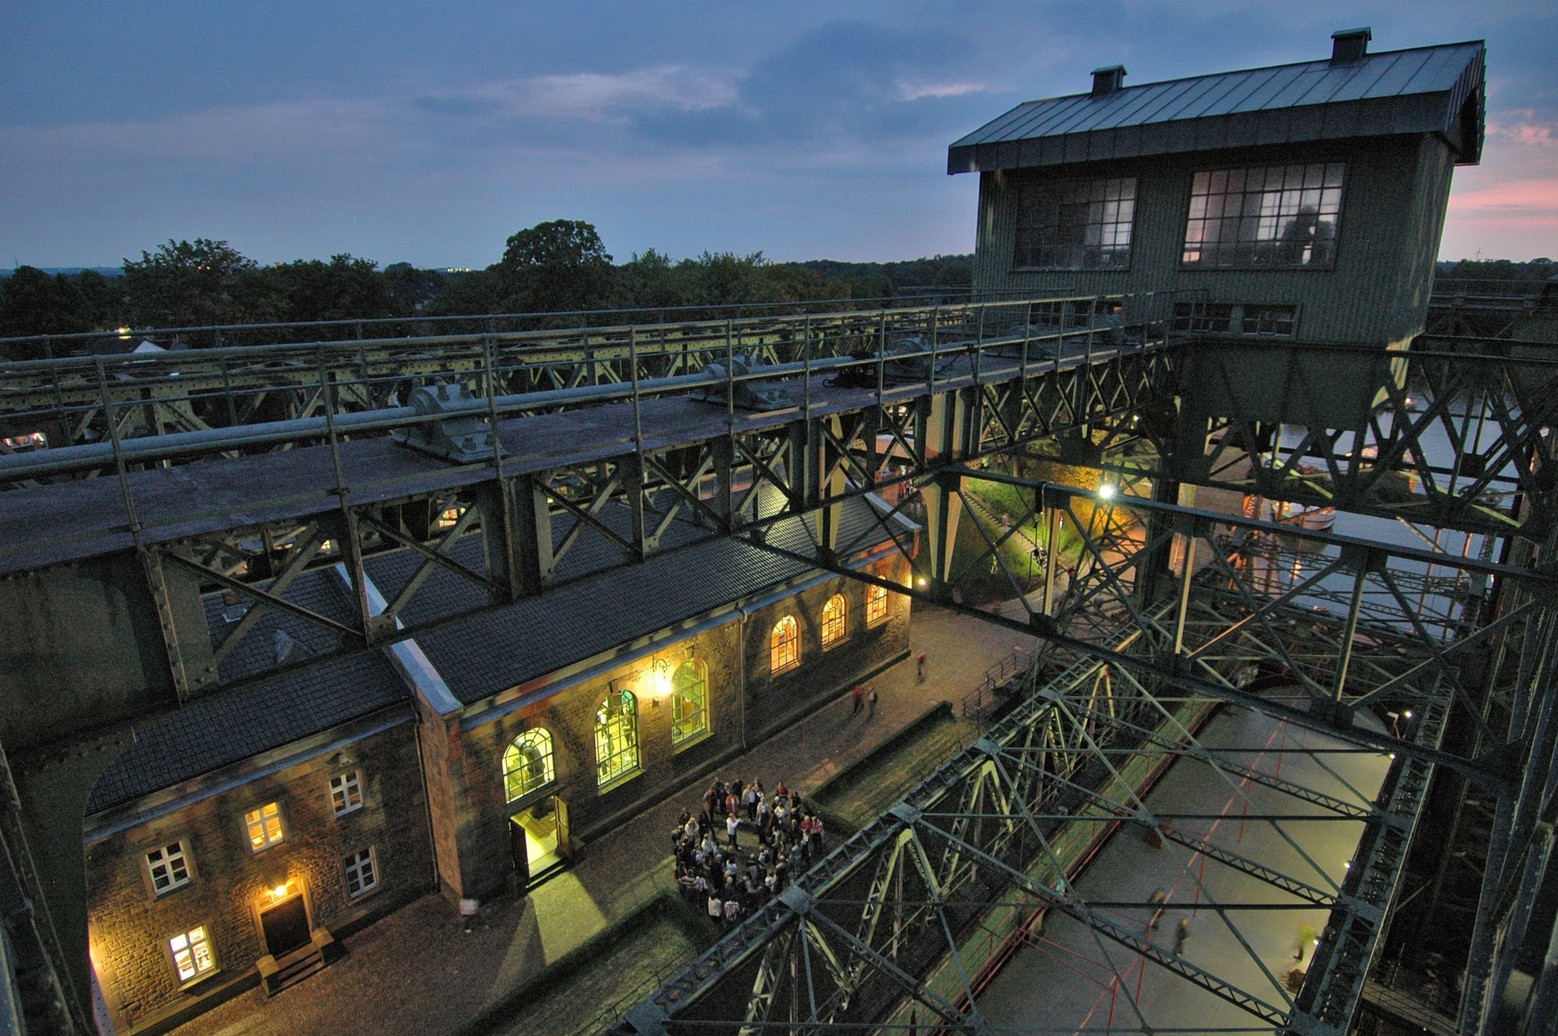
186	284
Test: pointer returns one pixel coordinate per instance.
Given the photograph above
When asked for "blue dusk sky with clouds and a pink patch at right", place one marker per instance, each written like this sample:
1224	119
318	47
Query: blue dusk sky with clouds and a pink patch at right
428	133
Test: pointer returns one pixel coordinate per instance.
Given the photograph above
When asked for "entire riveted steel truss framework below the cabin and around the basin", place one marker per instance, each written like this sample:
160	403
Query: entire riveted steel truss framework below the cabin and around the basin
1434	660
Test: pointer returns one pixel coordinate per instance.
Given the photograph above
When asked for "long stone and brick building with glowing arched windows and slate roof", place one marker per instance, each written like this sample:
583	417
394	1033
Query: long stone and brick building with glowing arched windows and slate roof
241	837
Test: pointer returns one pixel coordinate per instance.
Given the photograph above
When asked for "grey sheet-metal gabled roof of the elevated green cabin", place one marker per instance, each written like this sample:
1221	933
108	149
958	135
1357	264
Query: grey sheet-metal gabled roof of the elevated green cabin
1392	93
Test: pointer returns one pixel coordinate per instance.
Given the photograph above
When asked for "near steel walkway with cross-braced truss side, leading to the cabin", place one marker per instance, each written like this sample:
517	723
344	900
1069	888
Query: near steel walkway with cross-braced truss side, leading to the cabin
565	490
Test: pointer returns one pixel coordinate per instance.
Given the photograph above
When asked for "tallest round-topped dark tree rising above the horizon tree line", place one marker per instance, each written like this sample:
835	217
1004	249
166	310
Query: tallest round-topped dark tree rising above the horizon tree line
554	267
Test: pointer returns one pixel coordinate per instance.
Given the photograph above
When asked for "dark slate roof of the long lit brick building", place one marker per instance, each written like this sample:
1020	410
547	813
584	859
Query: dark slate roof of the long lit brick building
478	657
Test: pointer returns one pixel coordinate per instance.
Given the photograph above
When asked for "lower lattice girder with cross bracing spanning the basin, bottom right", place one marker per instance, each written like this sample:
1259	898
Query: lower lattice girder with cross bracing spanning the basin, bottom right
993	848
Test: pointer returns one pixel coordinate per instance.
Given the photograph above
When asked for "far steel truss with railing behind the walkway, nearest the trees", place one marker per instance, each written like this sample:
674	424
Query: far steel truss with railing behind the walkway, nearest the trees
94	400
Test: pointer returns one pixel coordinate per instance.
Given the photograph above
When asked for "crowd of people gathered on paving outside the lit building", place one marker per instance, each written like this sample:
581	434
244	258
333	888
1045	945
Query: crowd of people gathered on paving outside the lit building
744	847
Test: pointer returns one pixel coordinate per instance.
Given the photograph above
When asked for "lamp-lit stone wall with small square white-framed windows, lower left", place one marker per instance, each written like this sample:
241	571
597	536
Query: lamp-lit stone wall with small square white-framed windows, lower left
132	925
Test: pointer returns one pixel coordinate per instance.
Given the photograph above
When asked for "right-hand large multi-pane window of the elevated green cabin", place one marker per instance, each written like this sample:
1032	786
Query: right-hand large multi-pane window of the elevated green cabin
1278	217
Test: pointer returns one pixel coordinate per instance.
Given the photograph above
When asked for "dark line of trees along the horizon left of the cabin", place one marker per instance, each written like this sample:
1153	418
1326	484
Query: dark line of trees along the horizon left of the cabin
549	269
